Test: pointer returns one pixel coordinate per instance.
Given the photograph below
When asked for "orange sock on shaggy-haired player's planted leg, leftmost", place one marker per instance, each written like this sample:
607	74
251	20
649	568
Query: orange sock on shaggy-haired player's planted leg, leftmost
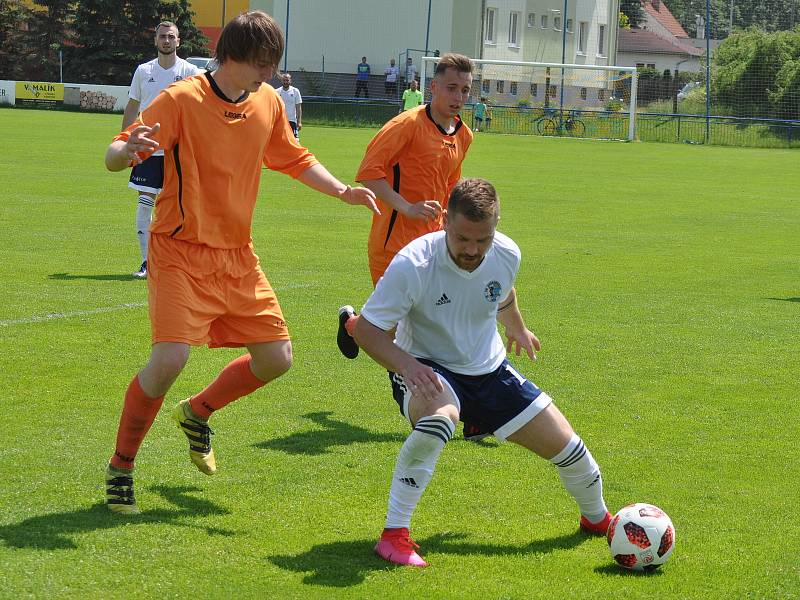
138	414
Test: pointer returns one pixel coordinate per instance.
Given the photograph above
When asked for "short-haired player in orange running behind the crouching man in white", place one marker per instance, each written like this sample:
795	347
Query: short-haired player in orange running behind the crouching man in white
412	164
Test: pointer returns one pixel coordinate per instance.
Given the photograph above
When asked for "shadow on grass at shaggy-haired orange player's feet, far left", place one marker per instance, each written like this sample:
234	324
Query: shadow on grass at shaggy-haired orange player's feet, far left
52	531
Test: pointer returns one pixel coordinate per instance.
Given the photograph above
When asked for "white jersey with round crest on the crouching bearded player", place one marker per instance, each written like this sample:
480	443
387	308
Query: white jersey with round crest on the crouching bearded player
444	313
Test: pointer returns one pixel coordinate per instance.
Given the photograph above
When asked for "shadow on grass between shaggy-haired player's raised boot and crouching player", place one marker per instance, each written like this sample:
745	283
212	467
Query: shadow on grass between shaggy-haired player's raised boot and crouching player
320	441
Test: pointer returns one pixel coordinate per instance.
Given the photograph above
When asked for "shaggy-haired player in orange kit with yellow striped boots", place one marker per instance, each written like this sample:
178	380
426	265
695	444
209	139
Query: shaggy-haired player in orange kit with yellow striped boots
205	283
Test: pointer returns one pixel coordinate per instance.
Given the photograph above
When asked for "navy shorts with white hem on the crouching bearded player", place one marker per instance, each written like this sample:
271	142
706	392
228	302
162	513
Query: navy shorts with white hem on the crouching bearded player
500	402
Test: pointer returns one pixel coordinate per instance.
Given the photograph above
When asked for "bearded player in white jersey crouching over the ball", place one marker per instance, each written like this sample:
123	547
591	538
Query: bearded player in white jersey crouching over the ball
445	293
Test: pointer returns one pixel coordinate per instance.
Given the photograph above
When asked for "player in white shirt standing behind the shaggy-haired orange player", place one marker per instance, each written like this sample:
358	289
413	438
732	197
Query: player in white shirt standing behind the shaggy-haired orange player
148	80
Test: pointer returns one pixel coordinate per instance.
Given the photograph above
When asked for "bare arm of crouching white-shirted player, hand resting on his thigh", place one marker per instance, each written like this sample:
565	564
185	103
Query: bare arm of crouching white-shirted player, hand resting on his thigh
380	345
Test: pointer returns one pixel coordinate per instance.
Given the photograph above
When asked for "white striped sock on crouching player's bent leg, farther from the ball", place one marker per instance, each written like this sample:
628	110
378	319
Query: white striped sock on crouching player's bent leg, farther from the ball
415	465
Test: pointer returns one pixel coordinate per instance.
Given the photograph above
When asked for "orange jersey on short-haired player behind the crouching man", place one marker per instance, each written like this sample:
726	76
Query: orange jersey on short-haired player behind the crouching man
421	162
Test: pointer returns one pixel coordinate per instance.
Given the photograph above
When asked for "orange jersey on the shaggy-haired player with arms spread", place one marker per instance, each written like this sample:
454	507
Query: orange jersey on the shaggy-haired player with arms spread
213	151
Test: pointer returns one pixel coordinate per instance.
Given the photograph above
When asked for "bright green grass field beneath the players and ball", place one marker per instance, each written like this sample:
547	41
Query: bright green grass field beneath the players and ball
662	279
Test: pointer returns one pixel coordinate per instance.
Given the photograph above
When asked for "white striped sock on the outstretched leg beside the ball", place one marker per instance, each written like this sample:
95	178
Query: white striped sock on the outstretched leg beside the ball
581	477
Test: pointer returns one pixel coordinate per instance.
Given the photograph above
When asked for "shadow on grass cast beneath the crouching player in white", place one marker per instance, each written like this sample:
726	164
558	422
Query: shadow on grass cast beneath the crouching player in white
344	564
